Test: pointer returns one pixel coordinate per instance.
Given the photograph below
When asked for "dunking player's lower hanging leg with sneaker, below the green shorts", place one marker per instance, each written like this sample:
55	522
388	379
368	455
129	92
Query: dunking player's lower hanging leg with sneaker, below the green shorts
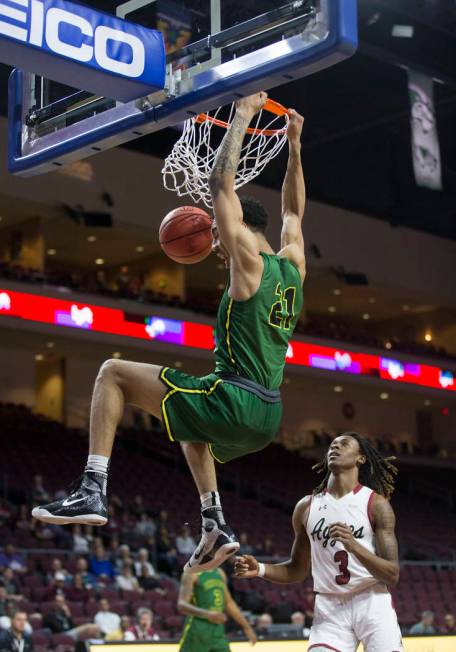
218	541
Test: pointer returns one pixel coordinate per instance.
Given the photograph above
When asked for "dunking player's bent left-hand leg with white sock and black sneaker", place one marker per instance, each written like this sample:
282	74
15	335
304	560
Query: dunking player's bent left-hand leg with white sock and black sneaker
118	382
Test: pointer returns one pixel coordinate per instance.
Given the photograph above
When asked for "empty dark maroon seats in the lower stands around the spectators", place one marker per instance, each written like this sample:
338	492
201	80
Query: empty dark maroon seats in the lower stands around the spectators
258	496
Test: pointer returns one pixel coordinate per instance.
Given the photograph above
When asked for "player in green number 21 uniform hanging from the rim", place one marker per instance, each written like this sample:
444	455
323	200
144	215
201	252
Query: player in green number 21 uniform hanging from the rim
237	409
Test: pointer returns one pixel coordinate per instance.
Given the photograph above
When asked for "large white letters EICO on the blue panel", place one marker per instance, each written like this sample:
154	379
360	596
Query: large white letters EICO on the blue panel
72	36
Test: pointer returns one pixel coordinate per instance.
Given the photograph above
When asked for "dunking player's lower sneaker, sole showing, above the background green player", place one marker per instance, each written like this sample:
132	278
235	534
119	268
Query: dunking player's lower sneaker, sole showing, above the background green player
218	543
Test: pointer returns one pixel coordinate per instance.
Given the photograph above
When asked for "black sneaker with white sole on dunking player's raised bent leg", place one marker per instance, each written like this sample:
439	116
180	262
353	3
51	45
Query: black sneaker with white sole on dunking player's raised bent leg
86	503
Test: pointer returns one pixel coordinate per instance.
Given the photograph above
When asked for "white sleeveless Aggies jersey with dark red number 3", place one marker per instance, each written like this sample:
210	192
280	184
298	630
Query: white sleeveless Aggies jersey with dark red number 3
334	570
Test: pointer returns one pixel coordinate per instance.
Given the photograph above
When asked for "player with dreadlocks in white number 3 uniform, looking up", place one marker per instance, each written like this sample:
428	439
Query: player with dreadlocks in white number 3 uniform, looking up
344	533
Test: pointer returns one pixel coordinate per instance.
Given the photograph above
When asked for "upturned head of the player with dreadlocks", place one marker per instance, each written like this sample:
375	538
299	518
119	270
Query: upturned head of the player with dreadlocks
352	451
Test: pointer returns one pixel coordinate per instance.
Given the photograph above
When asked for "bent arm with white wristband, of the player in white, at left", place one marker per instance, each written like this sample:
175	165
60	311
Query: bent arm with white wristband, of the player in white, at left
297	568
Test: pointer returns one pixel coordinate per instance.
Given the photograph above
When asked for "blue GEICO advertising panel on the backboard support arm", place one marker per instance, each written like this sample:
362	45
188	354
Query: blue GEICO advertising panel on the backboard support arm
82	47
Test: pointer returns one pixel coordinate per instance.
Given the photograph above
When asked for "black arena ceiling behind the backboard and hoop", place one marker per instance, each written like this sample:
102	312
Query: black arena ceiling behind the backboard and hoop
356	142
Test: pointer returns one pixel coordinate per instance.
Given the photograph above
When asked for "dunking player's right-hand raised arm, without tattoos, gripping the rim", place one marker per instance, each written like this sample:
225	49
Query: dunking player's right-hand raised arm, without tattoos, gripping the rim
294	196
